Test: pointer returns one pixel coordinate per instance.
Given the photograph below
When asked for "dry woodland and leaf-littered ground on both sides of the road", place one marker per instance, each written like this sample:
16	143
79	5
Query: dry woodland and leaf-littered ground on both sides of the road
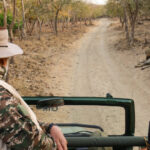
47	29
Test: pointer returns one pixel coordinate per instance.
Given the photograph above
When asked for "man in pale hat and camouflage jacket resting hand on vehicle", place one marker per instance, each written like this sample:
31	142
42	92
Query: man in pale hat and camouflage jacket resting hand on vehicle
19	128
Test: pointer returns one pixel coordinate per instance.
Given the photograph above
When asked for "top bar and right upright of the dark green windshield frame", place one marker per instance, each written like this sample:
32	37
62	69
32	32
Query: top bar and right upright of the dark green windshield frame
127	104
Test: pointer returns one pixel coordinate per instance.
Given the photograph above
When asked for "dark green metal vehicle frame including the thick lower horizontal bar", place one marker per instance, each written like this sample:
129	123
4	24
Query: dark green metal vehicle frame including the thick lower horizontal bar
118	142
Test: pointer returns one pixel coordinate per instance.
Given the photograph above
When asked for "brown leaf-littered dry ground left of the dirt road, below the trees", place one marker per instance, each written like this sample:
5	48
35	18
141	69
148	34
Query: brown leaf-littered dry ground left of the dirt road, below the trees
30	73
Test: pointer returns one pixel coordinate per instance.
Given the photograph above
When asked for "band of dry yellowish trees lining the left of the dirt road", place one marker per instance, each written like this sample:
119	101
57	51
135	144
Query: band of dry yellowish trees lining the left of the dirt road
24	17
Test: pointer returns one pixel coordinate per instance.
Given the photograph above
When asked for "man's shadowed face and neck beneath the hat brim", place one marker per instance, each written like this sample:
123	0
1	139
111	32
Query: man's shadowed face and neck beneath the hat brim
3	67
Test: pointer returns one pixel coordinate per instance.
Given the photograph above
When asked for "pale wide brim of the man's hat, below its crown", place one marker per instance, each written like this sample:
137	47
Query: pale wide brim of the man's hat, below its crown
9	51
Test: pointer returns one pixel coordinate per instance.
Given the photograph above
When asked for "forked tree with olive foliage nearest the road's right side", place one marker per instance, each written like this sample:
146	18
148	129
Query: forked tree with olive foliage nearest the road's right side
127	11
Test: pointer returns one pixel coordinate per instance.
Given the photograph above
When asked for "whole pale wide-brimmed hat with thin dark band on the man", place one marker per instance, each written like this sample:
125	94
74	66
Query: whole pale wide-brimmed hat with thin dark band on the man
8	49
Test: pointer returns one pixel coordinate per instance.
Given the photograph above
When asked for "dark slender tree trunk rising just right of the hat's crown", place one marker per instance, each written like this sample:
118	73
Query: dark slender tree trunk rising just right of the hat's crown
12	23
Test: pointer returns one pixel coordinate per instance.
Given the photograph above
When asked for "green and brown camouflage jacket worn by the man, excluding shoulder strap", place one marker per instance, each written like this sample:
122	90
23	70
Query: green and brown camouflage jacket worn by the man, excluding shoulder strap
17	130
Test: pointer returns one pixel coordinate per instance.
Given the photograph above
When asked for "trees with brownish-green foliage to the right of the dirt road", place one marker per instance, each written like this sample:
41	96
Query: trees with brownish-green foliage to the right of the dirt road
131	14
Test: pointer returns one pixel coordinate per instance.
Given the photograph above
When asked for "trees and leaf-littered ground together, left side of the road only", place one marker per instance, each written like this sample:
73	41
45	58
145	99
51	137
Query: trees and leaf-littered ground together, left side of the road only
46	31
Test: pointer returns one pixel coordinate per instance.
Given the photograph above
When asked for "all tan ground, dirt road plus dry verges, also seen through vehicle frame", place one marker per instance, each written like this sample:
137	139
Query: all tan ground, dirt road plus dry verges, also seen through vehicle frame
90	64
